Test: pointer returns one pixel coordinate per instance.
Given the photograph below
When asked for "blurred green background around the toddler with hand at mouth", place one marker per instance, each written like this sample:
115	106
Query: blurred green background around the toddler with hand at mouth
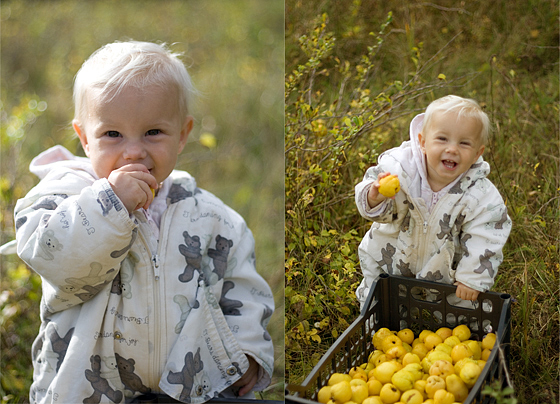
235	54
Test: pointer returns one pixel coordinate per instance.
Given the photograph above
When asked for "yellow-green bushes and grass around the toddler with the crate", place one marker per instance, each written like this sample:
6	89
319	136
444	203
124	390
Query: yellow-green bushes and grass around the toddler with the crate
351	94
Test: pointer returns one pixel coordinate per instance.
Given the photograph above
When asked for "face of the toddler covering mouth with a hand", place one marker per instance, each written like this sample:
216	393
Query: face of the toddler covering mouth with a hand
136	126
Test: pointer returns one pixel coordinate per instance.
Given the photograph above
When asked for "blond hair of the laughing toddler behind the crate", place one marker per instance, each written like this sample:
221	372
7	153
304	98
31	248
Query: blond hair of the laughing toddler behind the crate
463	107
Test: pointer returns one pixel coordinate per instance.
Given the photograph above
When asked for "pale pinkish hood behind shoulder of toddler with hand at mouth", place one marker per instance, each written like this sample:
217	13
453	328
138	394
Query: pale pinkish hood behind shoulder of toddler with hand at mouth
58	157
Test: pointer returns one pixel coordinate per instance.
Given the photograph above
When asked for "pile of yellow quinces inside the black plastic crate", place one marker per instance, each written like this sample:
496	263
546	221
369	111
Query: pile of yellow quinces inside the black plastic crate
435	368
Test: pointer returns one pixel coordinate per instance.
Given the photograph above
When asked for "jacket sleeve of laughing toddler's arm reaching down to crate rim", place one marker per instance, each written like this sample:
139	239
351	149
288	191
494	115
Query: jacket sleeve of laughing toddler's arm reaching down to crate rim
484	234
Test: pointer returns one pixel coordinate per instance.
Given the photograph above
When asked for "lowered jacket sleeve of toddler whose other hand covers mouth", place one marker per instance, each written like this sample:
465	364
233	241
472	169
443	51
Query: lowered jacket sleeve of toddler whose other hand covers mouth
248	303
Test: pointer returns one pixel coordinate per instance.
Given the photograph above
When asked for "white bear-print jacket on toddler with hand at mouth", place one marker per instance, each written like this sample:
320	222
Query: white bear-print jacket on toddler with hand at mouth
126	311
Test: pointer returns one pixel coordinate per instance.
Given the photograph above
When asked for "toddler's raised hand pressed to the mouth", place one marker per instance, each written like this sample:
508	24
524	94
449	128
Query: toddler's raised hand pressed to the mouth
133	184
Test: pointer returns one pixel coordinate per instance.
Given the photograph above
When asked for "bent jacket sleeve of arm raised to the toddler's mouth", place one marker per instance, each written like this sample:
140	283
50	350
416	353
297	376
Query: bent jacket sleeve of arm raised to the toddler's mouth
74	234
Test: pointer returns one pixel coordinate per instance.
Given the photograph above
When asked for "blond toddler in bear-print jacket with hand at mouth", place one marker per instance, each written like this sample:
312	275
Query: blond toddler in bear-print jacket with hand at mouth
149	282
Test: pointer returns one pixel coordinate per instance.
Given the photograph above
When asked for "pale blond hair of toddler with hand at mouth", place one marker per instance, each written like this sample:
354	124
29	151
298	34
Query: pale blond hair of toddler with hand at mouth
137	64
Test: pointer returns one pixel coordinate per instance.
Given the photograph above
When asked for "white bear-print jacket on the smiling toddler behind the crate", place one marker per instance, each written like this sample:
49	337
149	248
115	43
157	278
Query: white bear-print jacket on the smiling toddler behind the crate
456	234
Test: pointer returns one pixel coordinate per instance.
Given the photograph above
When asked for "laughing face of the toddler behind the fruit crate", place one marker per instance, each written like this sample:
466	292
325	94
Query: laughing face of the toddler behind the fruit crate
451	145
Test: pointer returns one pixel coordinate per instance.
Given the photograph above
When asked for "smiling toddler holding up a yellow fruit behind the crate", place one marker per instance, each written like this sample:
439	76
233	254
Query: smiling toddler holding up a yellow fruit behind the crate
448	223
